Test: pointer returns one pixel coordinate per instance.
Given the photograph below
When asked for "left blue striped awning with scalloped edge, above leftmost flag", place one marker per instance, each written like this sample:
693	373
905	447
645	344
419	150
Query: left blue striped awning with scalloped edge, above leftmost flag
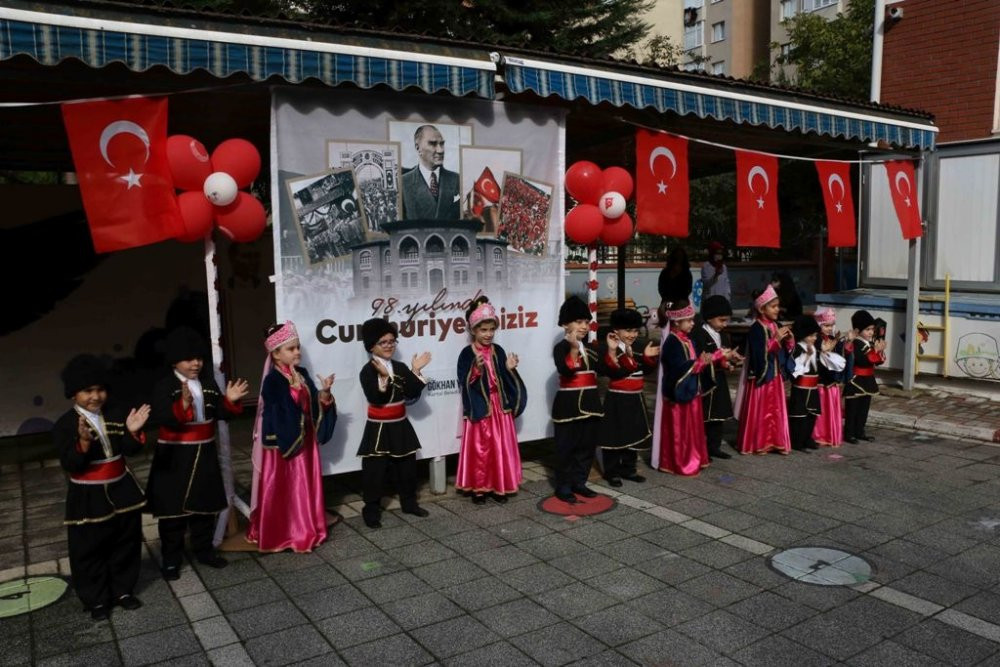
50	38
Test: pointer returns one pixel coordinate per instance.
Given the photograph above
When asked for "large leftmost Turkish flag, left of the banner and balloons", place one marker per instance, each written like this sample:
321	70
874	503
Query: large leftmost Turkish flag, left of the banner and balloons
119	149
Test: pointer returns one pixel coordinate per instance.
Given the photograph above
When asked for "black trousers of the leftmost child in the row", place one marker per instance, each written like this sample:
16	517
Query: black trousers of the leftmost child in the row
104	557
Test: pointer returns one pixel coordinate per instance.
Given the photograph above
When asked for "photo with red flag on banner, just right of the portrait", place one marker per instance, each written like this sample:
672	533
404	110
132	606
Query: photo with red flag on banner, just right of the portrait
483	168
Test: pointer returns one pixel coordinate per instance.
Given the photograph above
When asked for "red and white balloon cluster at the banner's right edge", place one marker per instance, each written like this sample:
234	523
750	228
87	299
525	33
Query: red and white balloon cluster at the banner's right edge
600	212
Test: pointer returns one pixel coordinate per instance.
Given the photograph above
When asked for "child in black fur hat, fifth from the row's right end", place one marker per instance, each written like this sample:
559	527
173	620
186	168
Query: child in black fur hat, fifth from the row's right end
716	403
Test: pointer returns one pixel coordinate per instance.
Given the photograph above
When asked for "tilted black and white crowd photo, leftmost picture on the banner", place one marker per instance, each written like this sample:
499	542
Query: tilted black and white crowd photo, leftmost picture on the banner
328	211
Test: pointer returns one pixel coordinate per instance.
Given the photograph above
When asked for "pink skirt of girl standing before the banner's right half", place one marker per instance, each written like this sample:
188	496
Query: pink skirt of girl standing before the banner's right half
489	460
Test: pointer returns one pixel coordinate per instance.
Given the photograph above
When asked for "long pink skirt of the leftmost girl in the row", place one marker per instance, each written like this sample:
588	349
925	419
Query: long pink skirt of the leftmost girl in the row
290	512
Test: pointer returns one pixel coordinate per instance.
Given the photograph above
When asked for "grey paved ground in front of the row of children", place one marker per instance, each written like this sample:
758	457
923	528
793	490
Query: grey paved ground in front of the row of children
676	574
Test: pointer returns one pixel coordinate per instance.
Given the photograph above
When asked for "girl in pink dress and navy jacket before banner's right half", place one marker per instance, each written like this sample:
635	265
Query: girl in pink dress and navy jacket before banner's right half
489	461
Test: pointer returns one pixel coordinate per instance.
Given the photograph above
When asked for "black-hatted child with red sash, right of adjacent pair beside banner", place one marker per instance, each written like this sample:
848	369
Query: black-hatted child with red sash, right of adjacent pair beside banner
625	427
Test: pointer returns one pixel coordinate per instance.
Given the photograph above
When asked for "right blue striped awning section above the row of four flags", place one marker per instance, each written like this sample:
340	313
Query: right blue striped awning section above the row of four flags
741	106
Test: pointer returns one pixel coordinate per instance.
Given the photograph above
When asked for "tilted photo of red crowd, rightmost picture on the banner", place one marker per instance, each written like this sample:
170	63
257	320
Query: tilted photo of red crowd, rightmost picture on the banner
524	214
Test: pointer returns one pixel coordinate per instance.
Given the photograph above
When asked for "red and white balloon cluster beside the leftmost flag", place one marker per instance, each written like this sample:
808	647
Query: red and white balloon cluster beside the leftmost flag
211	188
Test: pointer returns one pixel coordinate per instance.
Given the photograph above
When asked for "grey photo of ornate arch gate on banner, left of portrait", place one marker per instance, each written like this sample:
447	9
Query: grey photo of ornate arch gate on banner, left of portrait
377	172
